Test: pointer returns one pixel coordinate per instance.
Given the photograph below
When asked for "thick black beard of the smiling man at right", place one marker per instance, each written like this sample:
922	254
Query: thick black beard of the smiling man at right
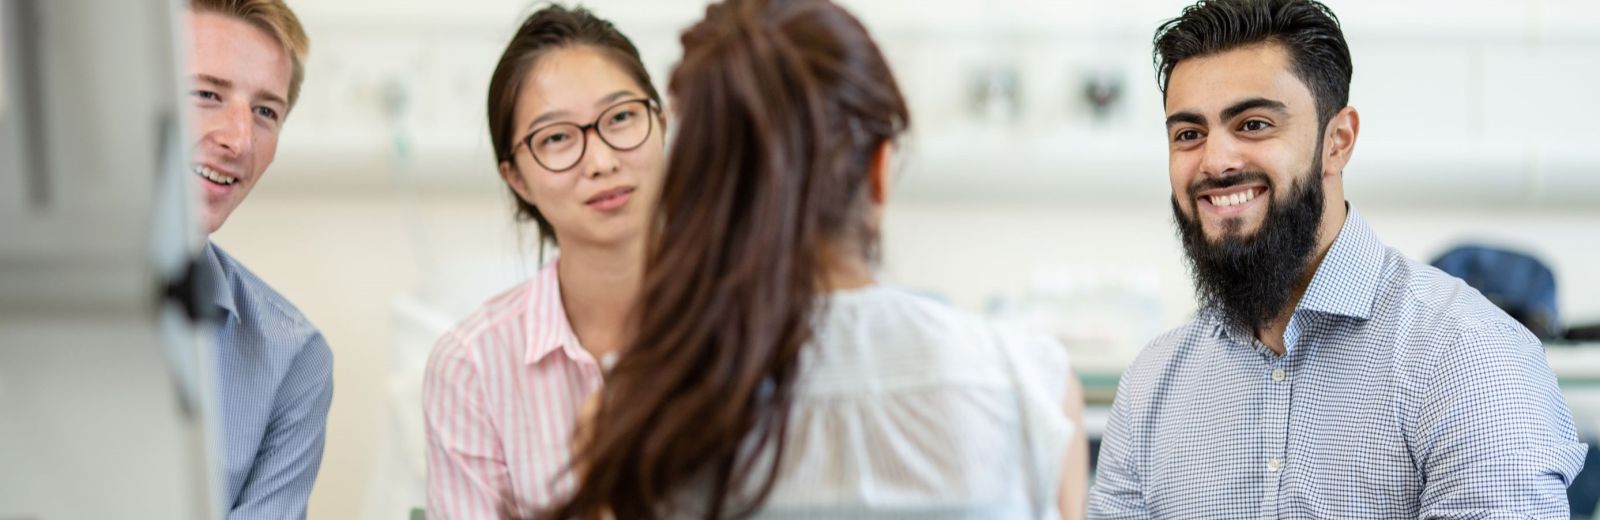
1250	279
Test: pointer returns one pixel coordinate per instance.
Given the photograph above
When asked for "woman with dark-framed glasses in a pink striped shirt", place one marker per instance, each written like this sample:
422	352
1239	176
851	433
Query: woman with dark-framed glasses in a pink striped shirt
578	134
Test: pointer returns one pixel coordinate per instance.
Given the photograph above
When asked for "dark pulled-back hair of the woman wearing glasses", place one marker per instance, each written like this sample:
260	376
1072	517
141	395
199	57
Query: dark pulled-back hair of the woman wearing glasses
548	30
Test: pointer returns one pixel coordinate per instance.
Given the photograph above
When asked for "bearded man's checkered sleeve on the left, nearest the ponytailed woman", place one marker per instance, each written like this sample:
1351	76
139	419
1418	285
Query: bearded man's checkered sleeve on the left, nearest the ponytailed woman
1118	494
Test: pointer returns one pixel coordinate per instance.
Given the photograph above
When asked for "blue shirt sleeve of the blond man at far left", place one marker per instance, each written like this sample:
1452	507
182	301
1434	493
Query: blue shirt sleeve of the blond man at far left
290	455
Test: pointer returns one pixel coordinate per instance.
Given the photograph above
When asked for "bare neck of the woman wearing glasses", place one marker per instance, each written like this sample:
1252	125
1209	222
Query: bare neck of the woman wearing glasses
599	289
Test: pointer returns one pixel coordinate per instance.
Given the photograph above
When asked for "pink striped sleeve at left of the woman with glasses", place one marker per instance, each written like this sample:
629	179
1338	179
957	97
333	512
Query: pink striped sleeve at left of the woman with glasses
466	463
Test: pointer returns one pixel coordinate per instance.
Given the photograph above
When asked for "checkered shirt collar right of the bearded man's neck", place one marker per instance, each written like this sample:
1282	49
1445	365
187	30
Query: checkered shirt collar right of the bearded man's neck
1346	282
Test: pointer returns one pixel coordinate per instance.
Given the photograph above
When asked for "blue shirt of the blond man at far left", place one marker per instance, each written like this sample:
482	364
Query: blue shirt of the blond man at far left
276	383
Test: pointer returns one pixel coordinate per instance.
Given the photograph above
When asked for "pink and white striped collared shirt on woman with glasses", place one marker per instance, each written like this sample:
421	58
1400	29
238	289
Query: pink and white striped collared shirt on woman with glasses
500	398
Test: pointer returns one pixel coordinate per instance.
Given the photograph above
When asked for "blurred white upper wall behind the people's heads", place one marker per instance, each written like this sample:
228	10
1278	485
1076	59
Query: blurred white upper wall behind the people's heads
1465	102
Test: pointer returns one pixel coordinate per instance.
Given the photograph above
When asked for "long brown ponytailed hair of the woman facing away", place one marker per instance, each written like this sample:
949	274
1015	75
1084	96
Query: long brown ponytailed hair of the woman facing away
782	106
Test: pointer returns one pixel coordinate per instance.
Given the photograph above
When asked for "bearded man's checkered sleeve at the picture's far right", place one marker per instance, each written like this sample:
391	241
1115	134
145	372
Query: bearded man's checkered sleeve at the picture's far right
1494	436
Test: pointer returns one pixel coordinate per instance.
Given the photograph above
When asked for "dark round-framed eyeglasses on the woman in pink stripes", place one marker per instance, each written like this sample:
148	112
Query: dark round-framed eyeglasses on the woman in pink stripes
623	127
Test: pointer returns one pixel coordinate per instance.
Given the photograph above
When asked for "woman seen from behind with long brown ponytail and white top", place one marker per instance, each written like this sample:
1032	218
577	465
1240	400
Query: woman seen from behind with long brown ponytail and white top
770	374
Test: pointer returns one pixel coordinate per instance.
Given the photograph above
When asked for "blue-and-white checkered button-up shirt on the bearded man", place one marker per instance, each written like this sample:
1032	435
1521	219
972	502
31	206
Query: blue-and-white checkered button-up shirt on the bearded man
1402	394
